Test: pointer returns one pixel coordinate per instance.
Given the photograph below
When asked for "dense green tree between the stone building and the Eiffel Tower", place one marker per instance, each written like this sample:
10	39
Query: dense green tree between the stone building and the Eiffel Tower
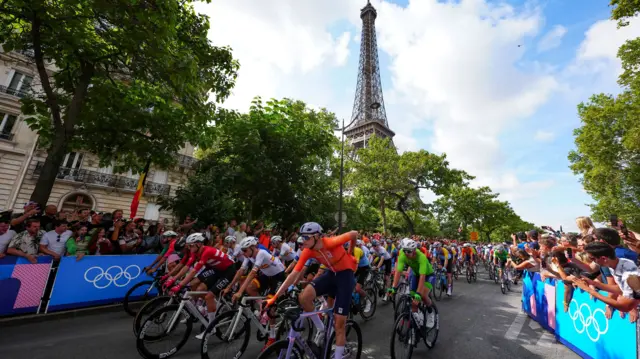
276	162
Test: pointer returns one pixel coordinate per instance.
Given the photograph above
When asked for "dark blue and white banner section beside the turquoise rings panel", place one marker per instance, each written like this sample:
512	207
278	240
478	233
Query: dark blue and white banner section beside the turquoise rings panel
539	299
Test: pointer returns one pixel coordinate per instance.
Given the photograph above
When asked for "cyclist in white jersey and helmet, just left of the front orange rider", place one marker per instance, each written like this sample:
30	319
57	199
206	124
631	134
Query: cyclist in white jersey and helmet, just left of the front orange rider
270	273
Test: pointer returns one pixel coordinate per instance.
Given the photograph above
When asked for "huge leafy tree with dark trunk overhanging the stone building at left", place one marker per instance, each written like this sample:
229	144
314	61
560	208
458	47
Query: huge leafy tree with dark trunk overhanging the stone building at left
132	81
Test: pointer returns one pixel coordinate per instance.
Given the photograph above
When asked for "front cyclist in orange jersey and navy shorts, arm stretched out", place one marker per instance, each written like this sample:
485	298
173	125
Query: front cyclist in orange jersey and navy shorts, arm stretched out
337	281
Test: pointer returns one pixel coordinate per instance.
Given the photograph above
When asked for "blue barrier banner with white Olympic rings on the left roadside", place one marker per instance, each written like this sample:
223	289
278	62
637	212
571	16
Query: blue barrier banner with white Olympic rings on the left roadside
96	280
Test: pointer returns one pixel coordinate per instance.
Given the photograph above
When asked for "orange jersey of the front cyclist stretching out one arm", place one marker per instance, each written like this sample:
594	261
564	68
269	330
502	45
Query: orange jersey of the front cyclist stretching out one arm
332	254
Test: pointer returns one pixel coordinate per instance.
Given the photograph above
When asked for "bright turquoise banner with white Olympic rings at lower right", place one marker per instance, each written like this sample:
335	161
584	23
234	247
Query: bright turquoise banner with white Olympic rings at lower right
585	329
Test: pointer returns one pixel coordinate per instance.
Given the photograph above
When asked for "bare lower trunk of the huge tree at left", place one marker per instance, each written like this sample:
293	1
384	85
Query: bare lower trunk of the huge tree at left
55	156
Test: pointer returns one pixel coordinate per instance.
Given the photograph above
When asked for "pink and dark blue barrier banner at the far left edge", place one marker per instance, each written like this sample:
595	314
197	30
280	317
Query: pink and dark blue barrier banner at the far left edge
22	284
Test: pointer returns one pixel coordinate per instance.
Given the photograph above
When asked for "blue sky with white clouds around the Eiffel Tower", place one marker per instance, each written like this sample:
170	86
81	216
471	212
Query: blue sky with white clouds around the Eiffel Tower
454	79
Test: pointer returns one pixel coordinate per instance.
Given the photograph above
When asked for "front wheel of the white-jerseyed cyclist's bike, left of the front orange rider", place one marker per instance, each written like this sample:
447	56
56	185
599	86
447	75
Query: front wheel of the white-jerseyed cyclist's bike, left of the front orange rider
220	327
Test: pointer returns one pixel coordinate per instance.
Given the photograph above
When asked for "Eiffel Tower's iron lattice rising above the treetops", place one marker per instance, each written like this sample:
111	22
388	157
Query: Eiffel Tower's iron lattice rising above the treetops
369	117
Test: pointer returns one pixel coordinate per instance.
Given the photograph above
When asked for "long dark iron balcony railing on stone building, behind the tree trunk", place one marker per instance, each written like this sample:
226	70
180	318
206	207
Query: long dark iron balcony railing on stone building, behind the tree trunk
106	180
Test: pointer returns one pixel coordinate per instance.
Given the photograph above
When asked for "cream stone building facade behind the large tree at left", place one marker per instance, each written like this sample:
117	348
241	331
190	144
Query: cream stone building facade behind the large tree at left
81	182
